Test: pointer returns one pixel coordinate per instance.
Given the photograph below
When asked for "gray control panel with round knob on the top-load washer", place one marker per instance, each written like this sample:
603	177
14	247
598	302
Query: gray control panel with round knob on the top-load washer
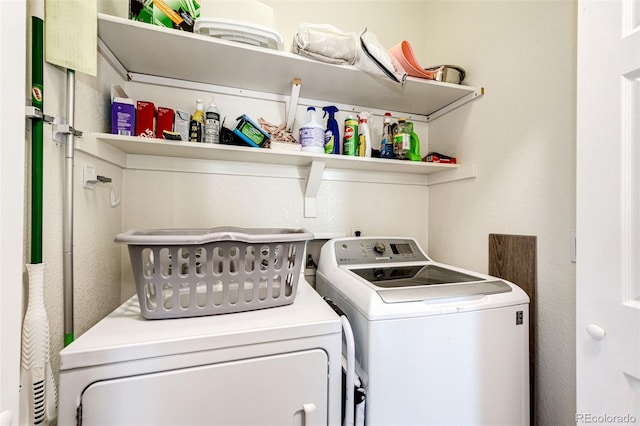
361	250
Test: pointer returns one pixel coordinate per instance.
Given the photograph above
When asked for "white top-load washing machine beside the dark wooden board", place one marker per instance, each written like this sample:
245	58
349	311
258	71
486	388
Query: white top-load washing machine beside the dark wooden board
435	344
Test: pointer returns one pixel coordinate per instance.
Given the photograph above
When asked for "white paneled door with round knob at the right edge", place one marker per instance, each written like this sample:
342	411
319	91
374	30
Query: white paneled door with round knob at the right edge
608	212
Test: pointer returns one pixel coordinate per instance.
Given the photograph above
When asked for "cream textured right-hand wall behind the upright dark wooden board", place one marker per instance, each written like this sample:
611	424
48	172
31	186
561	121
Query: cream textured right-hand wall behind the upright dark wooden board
521	135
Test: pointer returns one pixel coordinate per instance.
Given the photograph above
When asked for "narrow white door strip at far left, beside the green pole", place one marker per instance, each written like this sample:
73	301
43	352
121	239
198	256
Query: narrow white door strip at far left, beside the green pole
13	27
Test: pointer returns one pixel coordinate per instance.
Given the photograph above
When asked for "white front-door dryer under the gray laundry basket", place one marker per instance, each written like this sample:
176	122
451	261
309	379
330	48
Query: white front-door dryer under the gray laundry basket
273	366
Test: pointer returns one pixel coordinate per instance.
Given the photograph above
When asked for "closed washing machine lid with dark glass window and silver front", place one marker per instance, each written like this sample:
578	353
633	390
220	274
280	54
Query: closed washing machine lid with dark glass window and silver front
397	284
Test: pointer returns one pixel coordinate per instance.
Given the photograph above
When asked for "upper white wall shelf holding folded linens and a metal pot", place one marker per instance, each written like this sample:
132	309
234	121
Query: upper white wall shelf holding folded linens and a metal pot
157	51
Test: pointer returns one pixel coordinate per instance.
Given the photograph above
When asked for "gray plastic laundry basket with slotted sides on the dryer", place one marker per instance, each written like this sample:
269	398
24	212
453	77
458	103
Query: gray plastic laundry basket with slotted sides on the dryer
193	272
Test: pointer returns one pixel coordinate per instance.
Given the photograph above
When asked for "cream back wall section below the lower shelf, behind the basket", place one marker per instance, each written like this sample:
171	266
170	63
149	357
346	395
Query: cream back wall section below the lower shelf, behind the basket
170	200
